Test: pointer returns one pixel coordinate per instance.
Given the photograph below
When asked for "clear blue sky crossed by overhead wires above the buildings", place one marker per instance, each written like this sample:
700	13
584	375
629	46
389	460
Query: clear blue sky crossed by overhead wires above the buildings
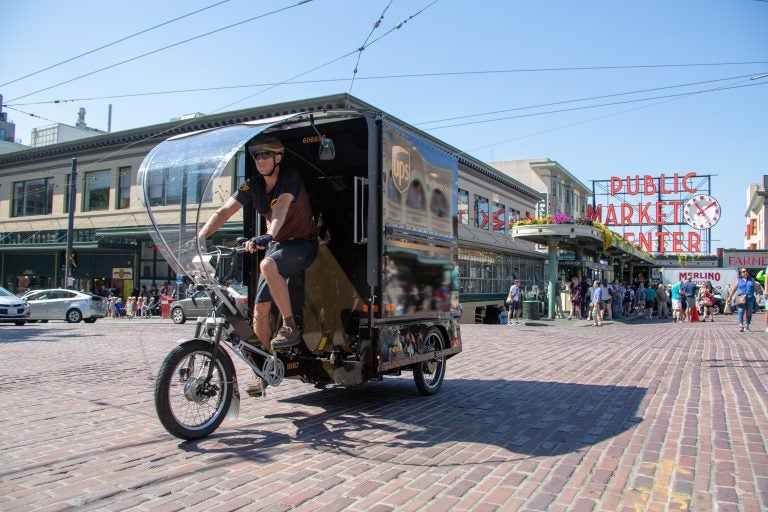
603	88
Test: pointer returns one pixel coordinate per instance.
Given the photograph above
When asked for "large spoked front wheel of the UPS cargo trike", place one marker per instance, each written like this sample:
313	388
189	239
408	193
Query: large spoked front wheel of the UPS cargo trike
183	410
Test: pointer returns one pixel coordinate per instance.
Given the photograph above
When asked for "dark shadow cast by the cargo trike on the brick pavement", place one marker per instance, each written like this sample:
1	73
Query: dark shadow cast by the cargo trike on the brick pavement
384	421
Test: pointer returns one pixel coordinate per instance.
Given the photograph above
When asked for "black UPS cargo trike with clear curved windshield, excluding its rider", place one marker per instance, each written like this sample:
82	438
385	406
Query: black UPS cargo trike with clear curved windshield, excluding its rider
376	301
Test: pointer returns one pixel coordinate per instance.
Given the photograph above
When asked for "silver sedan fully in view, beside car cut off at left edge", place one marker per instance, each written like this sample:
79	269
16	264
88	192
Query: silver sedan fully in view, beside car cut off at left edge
69	305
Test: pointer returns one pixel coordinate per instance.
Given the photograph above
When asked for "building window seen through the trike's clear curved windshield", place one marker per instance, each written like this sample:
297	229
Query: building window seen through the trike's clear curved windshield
166	187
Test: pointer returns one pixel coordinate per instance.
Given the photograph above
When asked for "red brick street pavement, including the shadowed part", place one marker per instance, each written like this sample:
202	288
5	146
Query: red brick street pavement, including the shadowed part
554	416
